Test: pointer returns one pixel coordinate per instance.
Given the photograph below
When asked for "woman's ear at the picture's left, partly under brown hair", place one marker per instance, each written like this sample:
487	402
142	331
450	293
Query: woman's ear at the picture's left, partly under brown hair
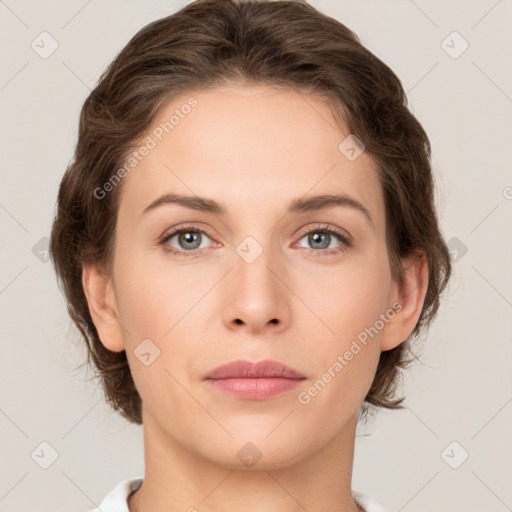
99	292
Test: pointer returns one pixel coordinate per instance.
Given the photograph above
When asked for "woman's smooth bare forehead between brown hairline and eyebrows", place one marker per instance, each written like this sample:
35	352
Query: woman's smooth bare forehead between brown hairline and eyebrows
252	148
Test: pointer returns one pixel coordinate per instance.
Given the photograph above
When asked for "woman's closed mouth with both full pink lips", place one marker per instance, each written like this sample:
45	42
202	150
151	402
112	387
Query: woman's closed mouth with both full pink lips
256	381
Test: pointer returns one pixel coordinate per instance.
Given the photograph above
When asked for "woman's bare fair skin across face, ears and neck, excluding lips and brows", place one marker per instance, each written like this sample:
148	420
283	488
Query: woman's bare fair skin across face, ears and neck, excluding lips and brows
253	149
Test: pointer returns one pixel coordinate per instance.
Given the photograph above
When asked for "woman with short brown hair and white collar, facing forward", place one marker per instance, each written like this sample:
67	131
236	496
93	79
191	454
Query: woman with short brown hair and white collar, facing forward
247	240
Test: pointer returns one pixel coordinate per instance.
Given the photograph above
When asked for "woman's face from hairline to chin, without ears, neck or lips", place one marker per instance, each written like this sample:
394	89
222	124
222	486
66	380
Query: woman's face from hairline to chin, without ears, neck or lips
253	279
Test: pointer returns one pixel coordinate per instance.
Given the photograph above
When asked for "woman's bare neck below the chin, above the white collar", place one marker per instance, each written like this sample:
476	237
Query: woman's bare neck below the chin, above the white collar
176	478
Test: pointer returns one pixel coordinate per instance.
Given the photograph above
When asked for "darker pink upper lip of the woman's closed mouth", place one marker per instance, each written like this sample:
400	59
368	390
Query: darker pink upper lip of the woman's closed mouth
261	369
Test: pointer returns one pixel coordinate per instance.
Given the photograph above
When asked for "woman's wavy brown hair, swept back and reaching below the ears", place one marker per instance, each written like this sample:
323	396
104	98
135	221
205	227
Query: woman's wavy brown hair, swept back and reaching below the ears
281	43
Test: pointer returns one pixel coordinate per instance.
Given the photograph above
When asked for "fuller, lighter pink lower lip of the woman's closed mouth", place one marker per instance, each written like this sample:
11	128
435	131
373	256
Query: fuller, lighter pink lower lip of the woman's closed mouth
255	389
